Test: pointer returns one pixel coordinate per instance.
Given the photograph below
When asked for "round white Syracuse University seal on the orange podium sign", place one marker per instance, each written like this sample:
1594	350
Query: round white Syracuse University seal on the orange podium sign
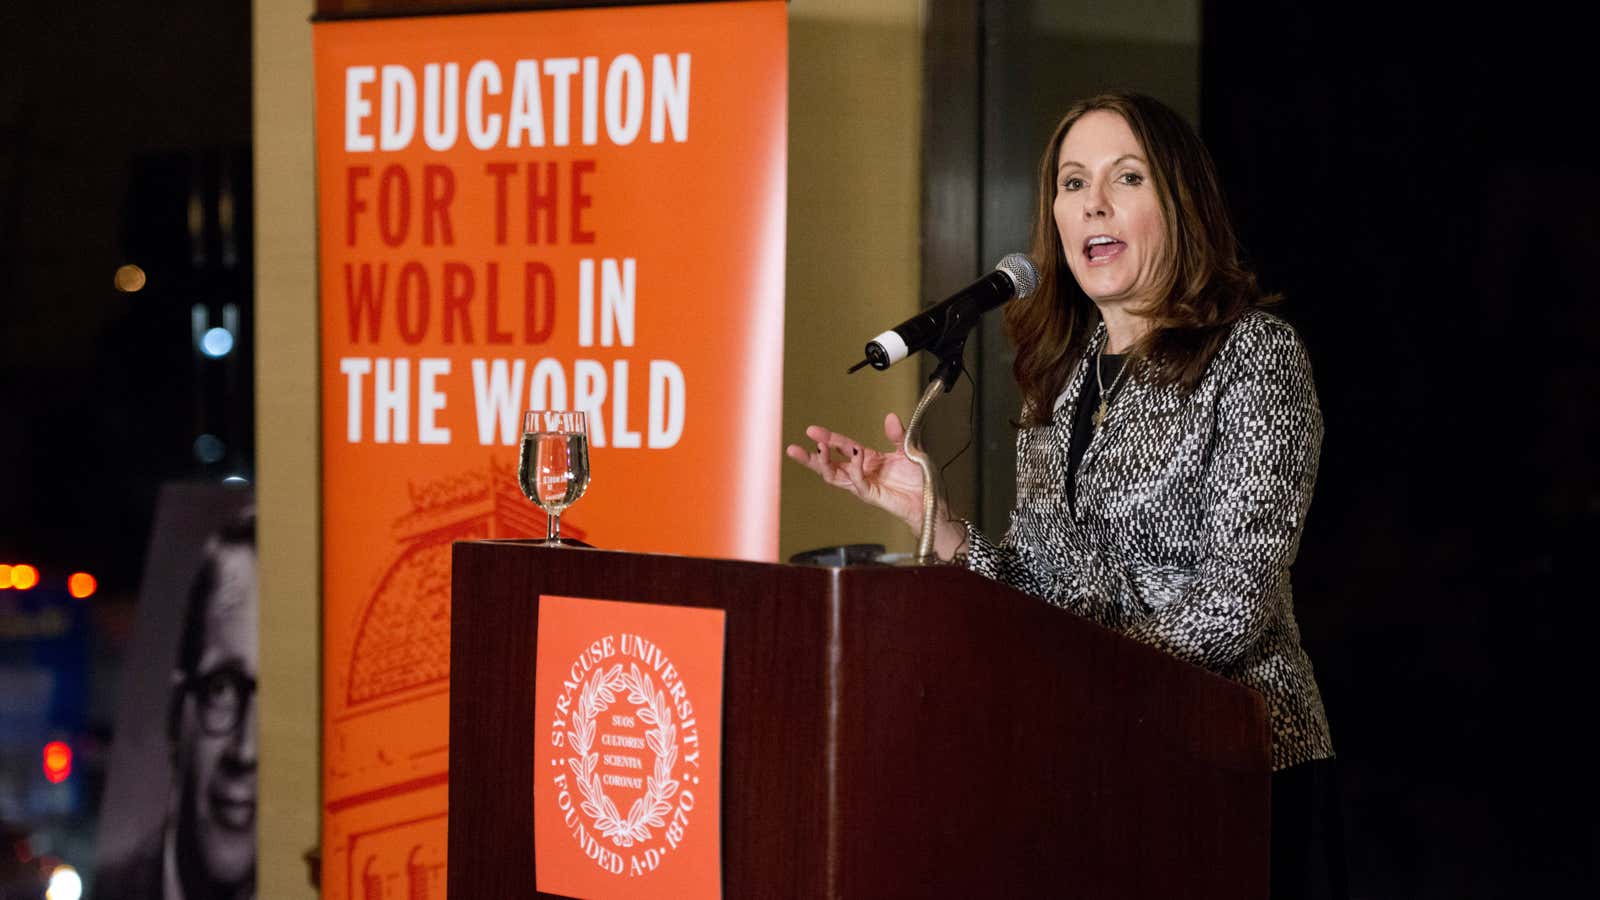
625	728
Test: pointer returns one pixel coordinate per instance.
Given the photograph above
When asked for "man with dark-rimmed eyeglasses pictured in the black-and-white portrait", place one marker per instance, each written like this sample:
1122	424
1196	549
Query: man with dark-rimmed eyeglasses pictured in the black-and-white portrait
209	843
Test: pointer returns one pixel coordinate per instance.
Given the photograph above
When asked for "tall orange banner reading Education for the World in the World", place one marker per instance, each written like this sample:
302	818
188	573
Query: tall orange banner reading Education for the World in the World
574	211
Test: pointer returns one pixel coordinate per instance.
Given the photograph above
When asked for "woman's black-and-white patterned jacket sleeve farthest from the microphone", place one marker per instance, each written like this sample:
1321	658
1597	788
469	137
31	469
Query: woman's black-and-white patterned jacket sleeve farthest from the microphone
1258	491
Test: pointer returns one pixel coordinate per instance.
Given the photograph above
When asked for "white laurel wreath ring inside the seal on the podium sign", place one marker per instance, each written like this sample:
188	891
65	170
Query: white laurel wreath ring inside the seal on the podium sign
652	709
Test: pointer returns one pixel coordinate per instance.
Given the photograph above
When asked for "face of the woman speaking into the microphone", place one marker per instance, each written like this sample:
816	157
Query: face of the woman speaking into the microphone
1108	212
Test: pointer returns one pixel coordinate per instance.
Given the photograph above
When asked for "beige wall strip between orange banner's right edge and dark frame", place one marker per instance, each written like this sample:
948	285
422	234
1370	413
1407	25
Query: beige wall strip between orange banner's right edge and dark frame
855	135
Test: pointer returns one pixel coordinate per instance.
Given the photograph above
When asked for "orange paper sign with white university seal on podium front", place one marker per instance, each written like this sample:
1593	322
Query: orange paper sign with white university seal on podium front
630	750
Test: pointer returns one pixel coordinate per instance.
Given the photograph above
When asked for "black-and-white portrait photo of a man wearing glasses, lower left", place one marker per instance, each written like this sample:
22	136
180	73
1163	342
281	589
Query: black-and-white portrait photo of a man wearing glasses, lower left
182	798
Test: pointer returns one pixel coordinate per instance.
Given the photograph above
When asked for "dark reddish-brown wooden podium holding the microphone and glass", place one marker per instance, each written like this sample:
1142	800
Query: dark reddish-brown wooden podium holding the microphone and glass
887	733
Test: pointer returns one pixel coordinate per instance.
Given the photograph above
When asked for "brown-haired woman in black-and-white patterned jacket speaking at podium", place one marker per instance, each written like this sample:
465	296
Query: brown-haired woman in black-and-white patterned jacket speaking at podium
1167	444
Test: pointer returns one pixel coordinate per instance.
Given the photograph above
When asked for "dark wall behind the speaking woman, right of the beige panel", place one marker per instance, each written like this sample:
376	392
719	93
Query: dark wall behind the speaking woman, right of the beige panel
1423	190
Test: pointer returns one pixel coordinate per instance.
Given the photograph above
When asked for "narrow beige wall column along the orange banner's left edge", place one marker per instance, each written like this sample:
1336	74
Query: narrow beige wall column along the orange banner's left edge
287	456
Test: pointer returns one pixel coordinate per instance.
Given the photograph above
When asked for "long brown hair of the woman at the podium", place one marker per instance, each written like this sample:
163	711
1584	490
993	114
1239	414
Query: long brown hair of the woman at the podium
1202	289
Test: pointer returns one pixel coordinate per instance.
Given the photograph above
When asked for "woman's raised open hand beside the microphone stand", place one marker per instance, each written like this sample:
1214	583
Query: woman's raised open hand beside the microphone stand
889	481
